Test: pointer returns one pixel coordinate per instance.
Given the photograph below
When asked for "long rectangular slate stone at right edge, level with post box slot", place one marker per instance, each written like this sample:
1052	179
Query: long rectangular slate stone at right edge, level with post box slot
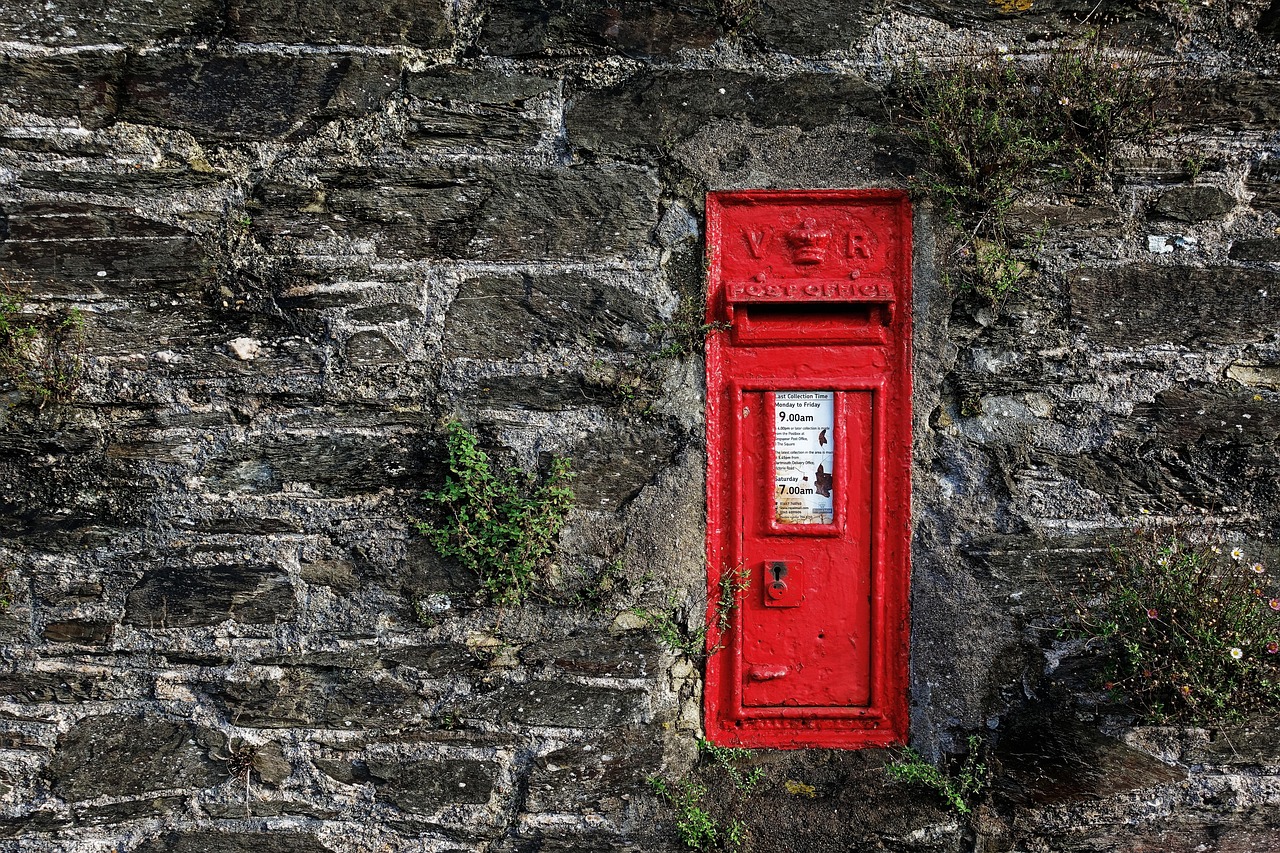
1142	305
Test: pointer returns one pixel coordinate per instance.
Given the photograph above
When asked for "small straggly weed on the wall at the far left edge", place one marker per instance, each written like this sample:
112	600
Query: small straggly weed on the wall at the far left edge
44	357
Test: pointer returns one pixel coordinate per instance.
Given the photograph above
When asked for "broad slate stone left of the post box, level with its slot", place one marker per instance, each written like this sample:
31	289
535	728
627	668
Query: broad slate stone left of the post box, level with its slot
509	317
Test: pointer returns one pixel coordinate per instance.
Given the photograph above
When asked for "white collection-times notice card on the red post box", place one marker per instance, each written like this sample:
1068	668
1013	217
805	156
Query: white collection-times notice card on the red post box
804	463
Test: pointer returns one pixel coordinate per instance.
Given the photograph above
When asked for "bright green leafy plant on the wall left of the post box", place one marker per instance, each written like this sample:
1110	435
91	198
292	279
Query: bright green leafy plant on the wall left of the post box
504	528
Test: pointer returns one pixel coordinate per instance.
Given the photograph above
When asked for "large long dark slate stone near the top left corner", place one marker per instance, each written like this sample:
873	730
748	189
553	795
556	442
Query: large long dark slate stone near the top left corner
257	97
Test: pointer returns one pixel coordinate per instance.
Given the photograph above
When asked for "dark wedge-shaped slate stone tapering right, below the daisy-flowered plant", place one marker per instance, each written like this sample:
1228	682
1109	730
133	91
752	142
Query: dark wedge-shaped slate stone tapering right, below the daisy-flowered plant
1046	759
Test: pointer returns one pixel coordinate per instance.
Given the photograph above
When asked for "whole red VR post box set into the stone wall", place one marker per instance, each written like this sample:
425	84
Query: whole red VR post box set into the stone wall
810	463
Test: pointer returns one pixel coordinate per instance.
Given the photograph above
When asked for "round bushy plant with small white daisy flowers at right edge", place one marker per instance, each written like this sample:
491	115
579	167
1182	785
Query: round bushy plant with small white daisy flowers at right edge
1190	631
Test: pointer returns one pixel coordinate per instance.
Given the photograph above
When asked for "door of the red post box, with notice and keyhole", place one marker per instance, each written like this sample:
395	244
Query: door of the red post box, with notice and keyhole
806	619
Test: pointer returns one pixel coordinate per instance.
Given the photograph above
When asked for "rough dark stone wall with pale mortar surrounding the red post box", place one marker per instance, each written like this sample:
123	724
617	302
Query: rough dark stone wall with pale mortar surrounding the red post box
304	235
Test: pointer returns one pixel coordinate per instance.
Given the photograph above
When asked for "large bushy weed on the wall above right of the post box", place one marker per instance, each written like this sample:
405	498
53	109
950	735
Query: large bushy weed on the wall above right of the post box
990	133
